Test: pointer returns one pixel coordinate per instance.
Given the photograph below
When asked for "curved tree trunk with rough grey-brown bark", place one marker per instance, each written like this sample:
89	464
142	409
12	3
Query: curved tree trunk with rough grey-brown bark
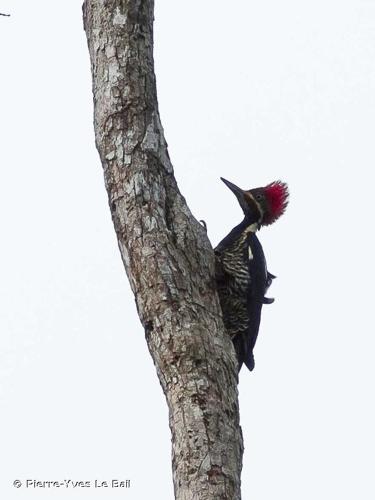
166	253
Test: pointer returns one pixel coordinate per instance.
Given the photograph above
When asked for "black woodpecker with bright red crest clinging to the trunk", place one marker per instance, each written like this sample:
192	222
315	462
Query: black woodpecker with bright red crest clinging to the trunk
240	266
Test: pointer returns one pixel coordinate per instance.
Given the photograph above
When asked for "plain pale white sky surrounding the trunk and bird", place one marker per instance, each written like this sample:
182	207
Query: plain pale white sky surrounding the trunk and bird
249	90
